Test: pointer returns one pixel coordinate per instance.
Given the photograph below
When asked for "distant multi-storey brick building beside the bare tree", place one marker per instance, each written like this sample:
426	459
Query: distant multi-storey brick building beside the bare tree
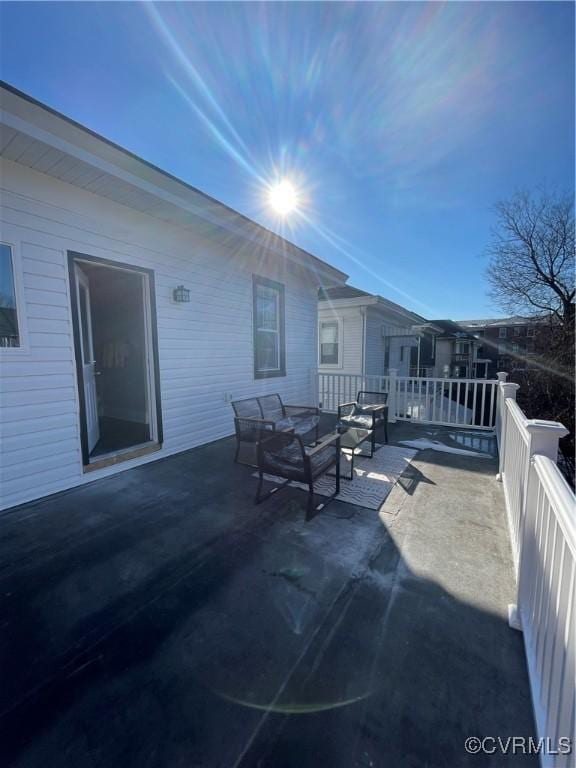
508	343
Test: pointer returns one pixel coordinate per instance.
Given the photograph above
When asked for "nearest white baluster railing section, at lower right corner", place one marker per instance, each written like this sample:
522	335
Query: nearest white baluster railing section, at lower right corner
546	603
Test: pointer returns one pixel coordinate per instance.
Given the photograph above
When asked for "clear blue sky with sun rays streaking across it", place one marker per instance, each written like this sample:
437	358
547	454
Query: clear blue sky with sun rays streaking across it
401	123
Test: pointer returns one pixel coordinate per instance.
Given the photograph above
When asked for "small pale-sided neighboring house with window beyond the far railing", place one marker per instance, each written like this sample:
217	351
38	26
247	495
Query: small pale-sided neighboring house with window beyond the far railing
361	333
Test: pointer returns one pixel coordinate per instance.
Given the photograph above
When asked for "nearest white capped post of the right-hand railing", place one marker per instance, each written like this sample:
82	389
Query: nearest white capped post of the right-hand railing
544	437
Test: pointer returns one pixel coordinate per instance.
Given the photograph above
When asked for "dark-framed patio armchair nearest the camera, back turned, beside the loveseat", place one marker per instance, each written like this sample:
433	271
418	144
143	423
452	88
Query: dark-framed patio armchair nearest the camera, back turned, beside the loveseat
283	454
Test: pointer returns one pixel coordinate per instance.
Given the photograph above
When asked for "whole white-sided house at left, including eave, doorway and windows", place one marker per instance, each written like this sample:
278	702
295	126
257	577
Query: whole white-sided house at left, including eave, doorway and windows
134	308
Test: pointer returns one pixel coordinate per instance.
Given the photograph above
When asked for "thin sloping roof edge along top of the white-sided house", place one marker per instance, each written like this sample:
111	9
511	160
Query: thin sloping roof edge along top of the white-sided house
268	234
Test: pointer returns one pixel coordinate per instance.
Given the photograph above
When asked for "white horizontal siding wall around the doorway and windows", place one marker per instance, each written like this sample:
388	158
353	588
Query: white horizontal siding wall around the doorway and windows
205	347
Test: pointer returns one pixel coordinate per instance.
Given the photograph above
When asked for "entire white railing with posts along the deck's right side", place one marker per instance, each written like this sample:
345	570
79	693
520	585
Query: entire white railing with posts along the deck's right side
541	510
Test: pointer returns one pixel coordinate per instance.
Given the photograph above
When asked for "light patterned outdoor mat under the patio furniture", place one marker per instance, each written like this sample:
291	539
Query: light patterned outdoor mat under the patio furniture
373	478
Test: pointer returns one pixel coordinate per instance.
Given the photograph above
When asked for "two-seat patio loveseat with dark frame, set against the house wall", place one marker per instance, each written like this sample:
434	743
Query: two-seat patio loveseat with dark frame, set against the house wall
256	416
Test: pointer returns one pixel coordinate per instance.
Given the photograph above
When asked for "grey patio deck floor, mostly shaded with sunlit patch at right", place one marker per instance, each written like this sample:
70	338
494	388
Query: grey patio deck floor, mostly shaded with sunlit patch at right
159	618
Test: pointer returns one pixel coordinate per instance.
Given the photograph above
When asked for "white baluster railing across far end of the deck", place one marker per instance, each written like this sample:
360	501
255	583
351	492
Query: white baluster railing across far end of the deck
449	402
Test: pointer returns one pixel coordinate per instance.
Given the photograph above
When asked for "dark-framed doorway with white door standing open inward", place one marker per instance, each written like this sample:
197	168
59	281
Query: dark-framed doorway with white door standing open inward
116	360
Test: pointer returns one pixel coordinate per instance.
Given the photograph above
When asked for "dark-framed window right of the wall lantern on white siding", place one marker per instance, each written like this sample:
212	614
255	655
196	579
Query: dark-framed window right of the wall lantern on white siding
269	344
